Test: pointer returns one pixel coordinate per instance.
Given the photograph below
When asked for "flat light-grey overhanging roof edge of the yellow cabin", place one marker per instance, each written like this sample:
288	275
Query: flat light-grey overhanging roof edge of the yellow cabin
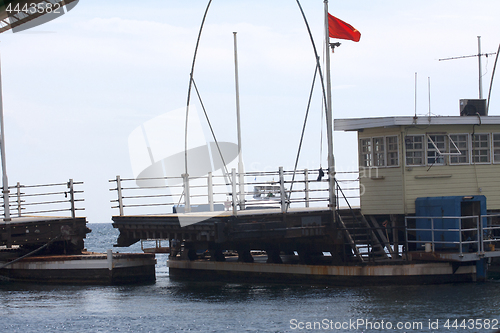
355	124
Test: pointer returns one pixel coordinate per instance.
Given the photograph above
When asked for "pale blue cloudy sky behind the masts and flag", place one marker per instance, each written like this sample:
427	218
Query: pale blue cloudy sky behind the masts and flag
75	88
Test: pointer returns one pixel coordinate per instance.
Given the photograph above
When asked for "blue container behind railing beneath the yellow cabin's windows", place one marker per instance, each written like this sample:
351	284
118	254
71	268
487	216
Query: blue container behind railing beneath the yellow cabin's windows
453	206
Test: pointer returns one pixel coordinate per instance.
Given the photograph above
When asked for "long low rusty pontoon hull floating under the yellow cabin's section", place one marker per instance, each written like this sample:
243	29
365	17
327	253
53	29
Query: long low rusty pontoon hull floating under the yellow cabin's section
407	273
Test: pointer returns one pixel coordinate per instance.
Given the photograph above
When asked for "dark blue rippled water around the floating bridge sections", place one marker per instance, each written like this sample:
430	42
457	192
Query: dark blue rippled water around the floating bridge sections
220	307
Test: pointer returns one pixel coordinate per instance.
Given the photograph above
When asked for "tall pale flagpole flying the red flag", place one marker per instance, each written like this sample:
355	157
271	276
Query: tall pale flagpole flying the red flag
329	117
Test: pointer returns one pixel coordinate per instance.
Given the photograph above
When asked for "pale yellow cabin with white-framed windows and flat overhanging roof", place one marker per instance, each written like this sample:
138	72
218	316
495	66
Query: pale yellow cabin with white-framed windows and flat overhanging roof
403	158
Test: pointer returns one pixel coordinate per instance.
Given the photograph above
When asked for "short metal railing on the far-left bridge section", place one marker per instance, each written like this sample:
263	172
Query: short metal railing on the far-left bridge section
46	199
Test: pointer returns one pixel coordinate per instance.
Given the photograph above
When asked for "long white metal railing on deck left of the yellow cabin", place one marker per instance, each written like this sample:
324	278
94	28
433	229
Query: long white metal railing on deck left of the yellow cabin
271	189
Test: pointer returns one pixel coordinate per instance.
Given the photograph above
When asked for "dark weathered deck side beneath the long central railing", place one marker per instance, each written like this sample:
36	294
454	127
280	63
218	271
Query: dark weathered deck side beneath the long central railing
247	225
